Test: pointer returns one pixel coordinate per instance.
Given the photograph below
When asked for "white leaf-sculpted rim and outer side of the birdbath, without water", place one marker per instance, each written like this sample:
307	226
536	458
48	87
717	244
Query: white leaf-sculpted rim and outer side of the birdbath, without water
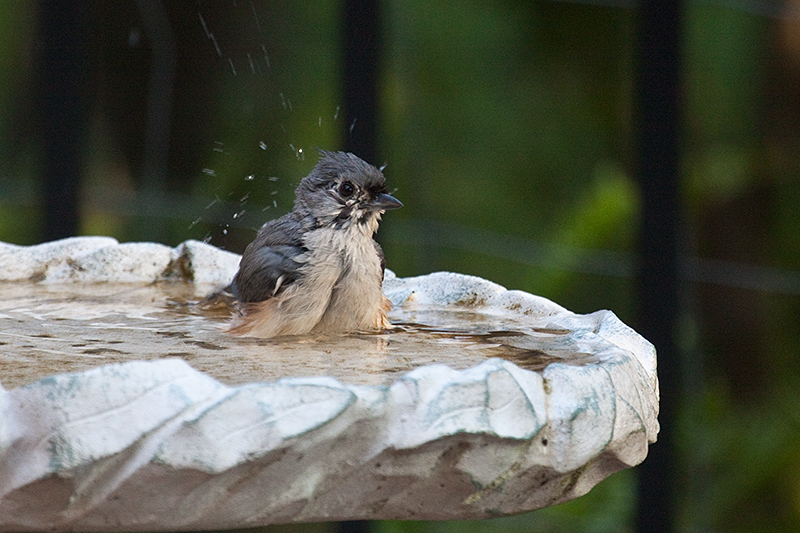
431	443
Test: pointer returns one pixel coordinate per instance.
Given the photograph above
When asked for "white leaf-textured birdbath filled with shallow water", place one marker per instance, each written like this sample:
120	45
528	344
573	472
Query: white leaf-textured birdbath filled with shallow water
126	406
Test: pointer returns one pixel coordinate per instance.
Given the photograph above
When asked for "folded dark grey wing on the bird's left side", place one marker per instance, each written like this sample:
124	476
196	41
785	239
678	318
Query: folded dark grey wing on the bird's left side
270	263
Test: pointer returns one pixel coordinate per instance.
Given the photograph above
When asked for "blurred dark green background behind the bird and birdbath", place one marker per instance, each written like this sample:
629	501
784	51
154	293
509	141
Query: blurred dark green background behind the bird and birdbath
516	134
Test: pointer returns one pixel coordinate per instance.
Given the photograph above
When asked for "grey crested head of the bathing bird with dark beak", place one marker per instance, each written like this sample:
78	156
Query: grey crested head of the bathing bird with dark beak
343	190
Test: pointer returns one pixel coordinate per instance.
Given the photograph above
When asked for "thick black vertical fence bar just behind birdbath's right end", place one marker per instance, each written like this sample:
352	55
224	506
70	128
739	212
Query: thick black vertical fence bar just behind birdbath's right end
658	130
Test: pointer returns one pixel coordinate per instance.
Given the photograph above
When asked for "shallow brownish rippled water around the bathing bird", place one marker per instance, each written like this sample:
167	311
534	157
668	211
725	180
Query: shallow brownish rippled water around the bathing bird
53	329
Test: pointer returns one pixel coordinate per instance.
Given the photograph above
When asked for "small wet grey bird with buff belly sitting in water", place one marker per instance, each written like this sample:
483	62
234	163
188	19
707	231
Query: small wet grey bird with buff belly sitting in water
318	268
